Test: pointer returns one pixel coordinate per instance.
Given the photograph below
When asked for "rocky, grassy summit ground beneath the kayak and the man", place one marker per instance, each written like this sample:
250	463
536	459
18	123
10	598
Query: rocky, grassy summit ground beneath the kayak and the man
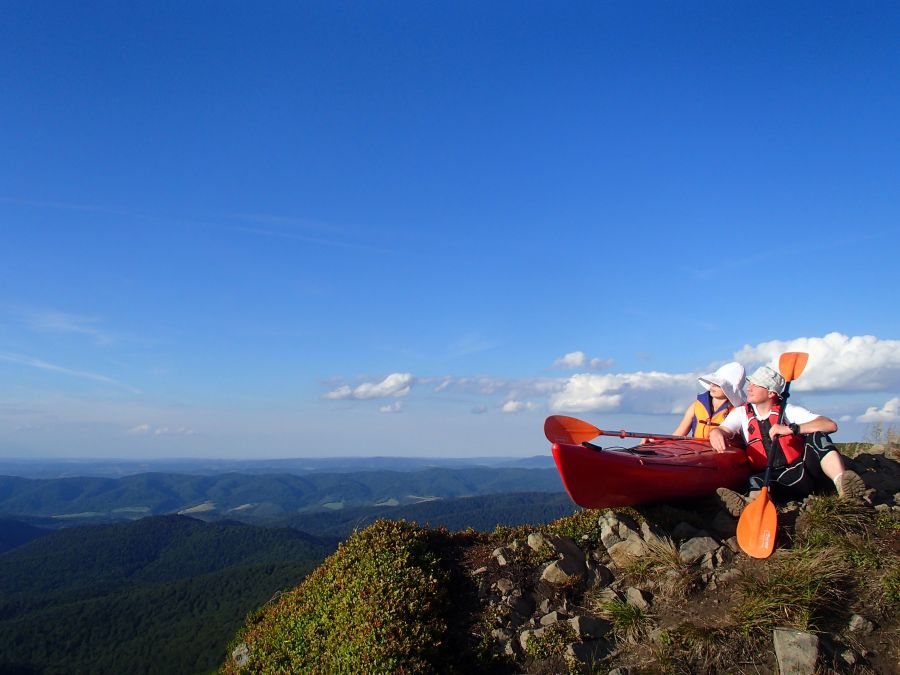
667	589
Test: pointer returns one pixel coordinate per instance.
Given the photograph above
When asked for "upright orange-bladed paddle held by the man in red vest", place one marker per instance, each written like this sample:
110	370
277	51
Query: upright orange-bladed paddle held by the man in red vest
759	520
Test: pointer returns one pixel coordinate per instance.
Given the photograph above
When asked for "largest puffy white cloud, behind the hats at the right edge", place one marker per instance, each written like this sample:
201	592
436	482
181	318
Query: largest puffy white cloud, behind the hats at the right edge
836	362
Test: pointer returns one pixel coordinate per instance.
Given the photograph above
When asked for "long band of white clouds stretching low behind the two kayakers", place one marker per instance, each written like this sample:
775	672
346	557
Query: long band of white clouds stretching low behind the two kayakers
837	364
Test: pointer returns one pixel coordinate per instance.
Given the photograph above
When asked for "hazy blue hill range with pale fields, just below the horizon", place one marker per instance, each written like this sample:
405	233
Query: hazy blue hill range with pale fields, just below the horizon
254	497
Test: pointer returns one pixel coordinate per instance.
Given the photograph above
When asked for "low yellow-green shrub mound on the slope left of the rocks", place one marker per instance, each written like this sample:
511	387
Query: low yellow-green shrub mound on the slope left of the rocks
371	607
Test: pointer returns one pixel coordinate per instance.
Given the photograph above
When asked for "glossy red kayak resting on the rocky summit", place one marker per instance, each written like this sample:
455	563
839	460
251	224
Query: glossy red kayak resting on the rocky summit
662	470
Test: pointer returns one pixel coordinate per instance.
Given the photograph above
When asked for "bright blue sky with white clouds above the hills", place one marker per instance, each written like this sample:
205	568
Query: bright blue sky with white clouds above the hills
328	228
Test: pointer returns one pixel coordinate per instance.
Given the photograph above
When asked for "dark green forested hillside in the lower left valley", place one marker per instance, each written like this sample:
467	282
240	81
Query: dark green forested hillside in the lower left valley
160	595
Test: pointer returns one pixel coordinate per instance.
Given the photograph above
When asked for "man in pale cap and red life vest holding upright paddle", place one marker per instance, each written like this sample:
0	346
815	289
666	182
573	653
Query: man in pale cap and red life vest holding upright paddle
803	452
